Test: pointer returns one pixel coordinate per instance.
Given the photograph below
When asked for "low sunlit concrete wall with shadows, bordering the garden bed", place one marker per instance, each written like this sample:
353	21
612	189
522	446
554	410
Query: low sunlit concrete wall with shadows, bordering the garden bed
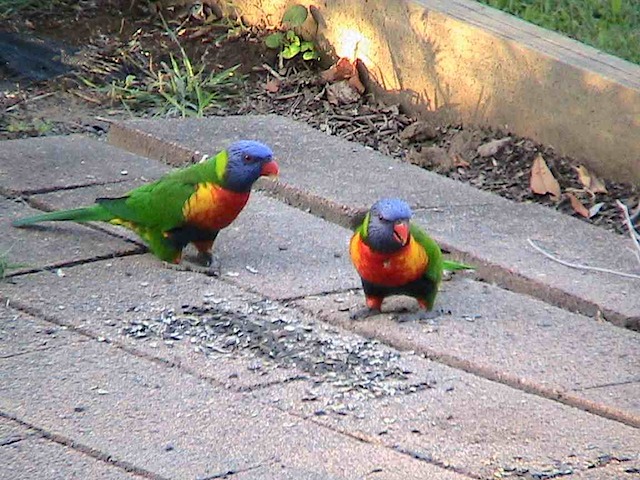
477	65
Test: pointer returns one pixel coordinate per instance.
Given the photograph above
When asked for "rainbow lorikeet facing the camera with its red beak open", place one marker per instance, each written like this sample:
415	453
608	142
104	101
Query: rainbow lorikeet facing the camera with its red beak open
396	257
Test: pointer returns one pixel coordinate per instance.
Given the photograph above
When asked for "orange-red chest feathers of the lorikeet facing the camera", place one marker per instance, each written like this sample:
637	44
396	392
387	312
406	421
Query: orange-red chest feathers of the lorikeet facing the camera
388	269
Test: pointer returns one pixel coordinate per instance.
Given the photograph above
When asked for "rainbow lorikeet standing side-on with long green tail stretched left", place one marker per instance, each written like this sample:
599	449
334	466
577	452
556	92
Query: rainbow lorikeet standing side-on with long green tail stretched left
189	205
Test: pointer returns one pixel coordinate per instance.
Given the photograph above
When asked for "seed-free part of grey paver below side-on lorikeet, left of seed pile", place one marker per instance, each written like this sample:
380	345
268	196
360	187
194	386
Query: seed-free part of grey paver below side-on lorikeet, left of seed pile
102	298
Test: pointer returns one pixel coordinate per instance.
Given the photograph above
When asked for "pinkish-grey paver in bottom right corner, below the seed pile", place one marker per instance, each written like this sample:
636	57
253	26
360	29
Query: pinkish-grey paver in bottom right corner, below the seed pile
475	425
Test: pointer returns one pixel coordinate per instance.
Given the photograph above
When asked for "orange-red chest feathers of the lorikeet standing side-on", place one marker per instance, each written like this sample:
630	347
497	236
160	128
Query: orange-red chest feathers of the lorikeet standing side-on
211	207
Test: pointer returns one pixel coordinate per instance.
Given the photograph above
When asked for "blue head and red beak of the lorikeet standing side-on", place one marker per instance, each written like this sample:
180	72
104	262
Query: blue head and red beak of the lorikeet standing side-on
248	160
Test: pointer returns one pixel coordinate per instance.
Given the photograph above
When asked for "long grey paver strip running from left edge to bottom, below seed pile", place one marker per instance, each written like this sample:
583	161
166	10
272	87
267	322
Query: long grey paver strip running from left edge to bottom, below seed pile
176	425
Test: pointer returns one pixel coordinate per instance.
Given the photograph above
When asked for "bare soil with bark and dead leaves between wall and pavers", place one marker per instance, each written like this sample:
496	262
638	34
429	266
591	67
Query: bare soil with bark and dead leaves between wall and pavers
111	39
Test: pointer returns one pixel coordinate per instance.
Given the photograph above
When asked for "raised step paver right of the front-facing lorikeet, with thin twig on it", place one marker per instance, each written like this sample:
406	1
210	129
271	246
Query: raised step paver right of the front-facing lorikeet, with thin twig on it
498	235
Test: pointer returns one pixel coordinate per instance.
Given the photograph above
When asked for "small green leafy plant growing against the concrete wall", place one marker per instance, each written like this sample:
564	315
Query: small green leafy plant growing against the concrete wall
288	41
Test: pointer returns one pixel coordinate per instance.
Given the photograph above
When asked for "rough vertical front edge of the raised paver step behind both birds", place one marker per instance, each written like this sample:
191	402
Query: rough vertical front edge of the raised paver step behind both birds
137	141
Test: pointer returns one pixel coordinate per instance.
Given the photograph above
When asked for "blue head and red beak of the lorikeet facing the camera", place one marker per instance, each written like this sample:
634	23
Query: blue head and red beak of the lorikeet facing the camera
388	225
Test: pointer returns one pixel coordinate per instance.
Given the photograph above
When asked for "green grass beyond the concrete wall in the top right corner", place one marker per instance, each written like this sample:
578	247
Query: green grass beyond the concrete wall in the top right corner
609	25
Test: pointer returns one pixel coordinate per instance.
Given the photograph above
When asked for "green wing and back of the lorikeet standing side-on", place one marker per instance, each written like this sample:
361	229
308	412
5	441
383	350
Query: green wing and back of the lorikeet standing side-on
158	205
